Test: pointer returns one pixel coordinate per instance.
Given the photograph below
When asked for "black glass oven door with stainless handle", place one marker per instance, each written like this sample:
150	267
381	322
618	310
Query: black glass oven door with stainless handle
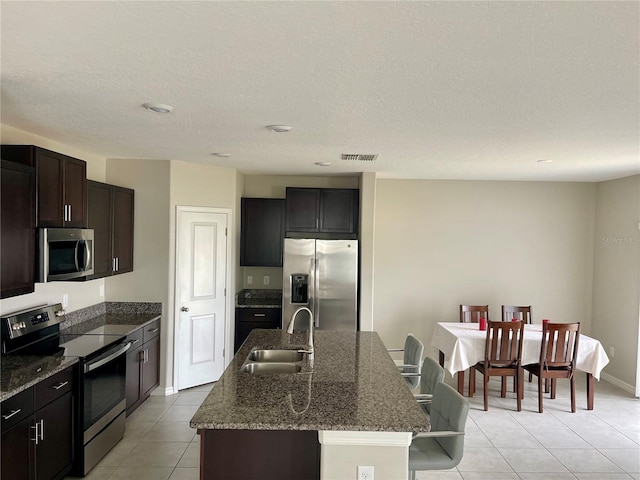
104	389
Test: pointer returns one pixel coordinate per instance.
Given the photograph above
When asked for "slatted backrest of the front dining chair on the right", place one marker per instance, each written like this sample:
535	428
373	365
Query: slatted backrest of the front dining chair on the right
559	345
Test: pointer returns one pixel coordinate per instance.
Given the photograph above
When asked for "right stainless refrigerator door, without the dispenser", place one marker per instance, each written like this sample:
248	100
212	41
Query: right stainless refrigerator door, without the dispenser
336	285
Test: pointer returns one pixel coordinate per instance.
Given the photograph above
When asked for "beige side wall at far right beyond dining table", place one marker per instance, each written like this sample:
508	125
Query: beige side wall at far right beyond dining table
616	287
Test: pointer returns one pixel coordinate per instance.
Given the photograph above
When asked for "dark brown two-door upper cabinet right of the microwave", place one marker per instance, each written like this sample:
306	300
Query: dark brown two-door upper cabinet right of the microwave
111	218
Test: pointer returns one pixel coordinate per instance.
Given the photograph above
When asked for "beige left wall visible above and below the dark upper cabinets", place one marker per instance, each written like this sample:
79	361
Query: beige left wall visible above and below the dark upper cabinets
81	294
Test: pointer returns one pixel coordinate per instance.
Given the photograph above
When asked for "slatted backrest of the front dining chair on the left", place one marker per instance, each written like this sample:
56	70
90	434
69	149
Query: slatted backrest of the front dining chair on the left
503	347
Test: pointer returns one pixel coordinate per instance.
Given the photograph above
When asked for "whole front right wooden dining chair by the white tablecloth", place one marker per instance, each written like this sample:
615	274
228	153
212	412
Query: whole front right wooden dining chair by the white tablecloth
558	355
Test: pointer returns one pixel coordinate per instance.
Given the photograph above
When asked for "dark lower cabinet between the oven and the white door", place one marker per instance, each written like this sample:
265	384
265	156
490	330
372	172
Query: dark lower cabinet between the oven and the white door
143	364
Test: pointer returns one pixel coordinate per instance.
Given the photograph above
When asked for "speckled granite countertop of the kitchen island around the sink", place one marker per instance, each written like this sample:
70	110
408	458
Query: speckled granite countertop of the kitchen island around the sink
353	385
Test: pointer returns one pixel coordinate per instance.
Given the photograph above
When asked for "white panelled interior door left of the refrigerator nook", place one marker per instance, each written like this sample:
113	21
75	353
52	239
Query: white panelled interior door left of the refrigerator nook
201	272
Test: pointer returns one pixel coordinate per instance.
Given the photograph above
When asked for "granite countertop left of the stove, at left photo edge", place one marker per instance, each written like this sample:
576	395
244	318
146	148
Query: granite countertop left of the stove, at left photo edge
19	372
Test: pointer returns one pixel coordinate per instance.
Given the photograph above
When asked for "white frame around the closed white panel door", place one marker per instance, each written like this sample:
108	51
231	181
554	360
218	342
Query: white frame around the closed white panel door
228	317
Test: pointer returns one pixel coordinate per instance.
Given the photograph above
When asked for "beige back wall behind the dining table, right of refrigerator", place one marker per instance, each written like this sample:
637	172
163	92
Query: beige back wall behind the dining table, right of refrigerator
439	244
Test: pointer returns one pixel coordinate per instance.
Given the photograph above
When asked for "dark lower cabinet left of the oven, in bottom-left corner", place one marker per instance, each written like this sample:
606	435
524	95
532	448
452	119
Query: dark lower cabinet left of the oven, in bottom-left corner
37	430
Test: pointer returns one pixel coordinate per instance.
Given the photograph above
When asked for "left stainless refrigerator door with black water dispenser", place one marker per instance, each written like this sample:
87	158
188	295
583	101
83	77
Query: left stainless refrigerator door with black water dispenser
298	266
